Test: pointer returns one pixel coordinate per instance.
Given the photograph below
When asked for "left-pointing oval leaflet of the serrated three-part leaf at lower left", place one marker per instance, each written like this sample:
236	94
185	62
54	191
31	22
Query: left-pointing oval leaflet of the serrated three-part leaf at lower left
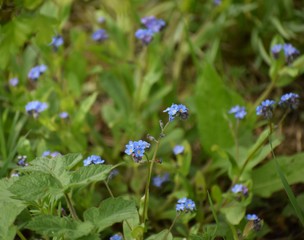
36	186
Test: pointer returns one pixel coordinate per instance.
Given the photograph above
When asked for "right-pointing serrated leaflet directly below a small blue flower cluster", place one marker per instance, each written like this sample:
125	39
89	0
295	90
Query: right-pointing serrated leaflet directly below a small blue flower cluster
88	174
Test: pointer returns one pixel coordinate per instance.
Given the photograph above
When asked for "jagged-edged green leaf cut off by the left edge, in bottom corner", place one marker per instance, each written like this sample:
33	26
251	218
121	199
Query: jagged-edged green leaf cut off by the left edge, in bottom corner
10	209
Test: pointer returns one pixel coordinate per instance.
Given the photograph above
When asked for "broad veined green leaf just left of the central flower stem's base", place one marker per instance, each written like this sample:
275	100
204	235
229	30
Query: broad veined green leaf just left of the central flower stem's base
111	210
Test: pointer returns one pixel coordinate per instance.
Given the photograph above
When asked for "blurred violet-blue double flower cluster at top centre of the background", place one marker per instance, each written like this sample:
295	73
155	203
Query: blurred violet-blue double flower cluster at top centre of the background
153	25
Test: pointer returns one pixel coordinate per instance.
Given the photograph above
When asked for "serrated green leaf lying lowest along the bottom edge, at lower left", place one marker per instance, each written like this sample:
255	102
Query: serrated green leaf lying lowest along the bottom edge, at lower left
53	226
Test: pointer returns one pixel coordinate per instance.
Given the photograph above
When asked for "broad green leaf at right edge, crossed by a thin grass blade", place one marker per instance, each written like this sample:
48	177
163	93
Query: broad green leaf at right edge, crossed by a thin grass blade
265	178
